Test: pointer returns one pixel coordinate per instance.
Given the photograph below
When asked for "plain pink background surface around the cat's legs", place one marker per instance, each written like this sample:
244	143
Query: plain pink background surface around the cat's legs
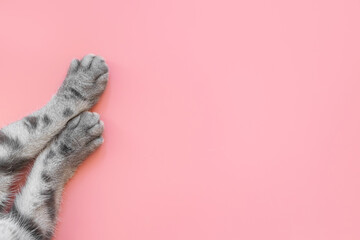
224	119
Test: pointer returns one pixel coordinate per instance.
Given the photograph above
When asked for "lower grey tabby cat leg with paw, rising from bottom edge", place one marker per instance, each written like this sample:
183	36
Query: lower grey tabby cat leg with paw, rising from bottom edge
35	208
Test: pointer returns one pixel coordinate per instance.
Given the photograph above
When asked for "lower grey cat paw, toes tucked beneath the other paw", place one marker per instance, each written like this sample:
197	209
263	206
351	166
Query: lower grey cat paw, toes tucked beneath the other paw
80	138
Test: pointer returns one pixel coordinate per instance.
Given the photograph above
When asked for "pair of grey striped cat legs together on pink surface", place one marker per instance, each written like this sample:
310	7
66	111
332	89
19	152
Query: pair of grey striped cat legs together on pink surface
59	136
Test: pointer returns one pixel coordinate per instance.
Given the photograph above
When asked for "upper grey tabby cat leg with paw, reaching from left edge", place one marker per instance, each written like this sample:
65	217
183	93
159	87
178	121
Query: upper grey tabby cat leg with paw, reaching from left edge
23	140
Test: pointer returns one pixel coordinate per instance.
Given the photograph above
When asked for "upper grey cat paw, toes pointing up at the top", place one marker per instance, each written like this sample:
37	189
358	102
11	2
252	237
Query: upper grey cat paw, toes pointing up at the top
85	81
